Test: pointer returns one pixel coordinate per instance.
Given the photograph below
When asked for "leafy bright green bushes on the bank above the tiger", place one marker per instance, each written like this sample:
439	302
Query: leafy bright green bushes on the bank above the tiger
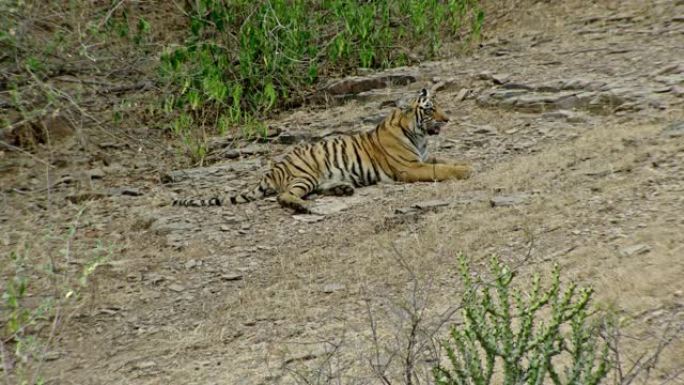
242	59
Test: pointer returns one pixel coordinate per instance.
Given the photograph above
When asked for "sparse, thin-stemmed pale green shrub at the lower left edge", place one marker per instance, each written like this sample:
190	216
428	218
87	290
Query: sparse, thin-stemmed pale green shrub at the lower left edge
29	328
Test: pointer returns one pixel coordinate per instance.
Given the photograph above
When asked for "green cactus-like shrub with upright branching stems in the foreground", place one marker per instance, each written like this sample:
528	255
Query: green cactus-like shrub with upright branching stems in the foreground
533	336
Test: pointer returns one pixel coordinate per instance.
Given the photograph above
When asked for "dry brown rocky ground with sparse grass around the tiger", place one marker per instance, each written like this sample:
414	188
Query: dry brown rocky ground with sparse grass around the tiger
573	118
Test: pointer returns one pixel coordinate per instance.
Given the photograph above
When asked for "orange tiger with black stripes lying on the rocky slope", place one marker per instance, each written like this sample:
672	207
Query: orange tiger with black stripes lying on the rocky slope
396	150
